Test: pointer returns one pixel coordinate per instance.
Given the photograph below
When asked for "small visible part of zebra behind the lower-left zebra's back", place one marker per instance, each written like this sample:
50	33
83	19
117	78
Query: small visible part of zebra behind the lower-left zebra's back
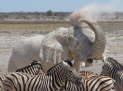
33	68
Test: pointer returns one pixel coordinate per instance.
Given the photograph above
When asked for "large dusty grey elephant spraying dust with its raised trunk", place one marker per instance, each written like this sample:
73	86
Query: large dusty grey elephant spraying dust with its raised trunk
64	43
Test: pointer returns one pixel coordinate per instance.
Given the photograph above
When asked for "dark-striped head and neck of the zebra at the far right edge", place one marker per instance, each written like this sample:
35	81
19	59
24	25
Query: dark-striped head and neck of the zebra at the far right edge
111	65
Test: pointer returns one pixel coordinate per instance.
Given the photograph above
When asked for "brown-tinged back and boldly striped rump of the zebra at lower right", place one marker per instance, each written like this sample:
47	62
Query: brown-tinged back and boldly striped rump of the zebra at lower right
95	82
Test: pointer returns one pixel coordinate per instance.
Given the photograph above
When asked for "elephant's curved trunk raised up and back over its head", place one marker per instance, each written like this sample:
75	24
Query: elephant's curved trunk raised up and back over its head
98	46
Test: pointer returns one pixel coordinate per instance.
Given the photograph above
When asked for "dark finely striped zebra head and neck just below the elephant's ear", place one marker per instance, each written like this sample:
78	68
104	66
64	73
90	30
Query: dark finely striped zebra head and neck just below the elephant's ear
64	72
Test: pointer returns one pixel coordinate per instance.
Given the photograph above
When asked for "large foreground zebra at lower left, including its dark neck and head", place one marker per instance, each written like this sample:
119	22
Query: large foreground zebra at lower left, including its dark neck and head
55	78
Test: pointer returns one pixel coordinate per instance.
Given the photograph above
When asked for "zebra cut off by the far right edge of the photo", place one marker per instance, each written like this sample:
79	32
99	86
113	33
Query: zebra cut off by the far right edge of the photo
113	69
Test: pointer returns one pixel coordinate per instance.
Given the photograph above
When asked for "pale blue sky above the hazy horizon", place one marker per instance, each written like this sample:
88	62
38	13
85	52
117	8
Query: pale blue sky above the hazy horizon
58	5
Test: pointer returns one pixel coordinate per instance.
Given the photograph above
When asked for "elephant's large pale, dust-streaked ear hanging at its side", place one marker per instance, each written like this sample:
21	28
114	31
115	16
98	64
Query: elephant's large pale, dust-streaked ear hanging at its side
54	49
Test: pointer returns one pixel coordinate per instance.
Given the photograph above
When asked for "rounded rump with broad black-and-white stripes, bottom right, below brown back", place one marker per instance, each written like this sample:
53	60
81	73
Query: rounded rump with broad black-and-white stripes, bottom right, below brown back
100	83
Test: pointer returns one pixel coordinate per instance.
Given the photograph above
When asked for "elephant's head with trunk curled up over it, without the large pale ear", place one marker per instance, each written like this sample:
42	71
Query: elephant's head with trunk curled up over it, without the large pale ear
80	47
